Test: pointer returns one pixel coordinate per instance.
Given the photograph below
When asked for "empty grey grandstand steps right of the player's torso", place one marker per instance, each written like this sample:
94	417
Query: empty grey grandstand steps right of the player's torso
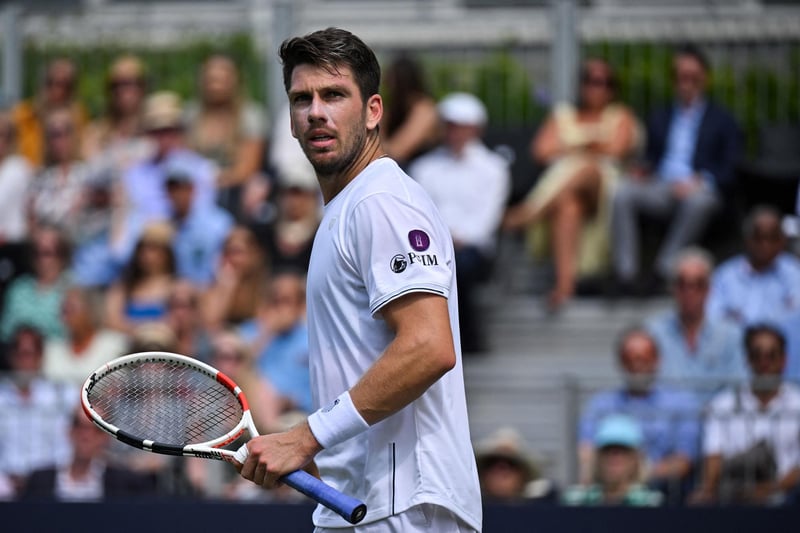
541	367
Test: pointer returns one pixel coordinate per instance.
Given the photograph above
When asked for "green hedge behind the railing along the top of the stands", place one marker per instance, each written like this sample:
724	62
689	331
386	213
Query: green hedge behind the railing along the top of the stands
756	91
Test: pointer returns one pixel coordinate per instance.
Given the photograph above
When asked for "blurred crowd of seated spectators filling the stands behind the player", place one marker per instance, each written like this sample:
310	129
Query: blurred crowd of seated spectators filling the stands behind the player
187	226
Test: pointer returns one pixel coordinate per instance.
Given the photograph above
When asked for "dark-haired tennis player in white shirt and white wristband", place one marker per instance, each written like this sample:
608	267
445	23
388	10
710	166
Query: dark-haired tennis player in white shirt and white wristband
386	370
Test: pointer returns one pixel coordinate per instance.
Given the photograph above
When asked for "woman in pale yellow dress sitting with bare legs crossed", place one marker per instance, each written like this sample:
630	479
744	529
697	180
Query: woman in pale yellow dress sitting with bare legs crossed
584	148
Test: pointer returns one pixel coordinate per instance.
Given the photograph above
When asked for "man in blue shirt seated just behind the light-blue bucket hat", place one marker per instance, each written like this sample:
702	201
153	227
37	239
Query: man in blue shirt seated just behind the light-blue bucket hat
669	418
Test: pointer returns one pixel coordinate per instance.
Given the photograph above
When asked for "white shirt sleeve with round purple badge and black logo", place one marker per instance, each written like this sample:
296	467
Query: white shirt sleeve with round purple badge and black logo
398	248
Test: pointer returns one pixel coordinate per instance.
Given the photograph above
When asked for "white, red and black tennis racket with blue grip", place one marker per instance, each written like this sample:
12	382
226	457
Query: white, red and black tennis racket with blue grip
172	404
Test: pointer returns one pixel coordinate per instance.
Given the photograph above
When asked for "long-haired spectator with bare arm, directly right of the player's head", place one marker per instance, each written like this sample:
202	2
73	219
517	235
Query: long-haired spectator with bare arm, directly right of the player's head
410	125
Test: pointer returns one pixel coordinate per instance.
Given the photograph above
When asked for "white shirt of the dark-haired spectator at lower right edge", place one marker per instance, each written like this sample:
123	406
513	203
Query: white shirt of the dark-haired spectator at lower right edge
736	422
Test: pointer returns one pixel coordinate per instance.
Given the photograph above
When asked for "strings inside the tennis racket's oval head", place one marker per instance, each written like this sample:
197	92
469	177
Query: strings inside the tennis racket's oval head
165	402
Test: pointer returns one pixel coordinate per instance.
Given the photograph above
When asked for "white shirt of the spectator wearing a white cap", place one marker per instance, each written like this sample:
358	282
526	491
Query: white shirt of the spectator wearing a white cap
470	191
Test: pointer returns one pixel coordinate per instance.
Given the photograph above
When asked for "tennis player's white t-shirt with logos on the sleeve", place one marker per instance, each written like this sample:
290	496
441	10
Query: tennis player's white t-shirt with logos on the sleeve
381	238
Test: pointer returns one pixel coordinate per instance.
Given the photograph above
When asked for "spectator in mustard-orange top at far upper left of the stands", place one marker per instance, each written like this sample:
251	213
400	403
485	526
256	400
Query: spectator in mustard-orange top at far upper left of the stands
57	91
